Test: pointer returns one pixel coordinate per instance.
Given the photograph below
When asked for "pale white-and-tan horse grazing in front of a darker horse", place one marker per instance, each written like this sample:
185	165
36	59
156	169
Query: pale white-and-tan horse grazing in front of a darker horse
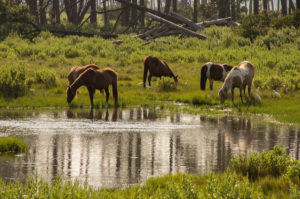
240	76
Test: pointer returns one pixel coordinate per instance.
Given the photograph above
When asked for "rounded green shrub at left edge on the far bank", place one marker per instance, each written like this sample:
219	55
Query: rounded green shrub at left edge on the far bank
12	81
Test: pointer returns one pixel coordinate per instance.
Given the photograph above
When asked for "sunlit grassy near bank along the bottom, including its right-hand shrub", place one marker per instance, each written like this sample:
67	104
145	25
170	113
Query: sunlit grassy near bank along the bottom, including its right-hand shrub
260	175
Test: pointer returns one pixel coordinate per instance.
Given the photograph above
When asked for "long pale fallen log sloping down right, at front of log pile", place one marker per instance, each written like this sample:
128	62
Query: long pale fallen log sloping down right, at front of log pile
176	27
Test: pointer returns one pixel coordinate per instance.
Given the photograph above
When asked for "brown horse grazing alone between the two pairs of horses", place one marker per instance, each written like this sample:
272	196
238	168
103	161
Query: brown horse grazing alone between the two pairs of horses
157	68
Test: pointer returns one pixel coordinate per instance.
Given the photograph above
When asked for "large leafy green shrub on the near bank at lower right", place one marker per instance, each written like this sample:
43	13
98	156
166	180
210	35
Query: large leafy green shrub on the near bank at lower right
273	163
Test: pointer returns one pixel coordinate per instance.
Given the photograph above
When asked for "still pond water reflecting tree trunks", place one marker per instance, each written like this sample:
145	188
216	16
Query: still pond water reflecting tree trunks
117	148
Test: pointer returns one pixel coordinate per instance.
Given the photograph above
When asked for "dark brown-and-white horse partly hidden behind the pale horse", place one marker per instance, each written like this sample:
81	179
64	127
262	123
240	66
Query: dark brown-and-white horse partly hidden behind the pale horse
213	71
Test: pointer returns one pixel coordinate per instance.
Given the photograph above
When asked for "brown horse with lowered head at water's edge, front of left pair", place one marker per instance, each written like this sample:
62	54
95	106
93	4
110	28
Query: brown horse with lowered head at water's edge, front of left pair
95	79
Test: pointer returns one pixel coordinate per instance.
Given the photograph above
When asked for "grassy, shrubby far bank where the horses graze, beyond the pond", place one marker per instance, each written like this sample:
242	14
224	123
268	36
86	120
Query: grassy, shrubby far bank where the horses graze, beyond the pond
34	74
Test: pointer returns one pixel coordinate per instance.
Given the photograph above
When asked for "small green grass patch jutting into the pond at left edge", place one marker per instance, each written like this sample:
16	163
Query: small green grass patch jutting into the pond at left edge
11	144
